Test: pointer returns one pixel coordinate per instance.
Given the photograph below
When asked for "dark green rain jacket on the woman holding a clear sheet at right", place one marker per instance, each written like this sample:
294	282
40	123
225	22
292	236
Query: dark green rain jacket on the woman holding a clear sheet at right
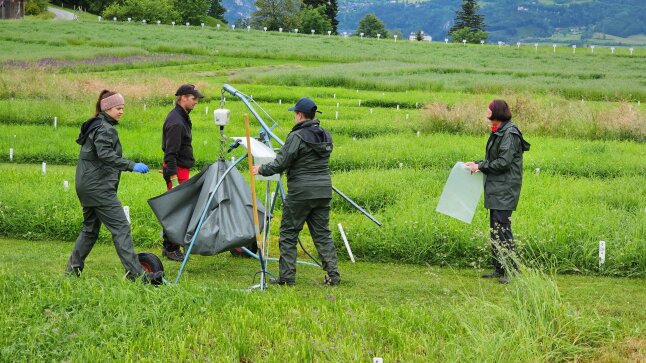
503	167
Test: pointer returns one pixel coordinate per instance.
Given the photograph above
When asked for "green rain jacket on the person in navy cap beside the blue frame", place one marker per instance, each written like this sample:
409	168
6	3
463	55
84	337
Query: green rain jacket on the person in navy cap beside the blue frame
305	156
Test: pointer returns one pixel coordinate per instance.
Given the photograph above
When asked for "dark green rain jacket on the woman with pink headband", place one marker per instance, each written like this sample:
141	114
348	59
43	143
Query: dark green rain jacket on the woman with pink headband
100	163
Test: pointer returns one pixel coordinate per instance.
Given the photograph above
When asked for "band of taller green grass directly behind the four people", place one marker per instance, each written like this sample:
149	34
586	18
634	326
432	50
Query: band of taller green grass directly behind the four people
549	230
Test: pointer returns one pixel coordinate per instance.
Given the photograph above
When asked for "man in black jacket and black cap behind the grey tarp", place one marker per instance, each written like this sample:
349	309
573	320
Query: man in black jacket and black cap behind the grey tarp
178	150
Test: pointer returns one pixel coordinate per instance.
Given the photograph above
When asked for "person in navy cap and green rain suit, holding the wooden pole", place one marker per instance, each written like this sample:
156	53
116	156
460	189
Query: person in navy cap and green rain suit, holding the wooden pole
305	156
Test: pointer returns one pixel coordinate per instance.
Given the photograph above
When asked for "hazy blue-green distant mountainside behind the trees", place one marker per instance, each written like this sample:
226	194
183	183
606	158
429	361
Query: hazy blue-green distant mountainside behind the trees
577	21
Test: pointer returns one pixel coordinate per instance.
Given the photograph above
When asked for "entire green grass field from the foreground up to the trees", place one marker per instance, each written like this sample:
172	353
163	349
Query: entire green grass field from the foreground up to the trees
401	114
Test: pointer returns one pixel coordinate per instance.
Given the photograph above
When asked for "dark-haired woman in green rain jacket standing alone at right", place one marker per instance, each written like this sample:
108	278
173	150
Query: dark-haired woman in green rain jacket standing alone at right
503	179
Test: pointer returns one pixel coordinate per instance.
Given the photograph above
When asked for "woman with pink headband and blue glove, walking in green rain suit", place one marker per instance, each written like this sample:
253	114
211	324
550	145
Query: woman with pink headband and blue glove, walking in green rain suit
97	179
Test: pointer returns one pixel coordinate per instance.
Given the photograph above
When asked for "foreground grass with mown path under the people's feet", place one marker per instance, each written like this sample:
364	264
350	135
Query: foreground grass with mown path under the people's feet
398	312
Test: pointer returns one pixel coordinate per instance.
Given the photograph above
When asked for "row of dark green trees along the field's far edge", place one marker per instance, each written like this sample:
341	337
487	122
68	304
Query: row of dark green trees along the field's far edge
319	16
